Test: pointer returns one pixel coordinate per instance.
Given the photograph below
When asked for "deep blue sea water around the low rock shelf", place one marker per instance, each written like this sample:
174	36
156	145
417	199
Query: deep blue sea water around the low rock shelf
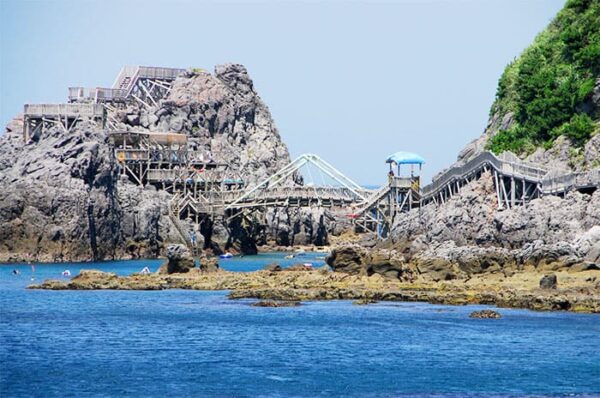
179	343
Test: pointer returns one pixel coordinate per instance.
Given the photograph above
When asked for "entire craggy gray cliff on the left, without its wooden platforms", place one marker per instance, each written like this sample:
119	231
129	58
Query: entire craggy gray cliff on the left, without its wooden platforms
61	196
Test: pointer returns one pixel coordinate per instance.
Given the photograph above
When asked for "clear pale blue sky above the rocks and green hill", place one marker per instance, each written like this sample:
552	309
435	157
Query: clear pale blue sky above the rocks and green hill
349	80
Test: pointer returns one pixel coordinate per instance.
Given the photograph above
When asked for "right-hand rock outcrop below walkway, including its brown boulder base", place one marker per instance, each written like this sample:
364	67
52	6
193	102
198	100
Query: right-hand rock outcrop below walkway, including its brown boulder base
470	235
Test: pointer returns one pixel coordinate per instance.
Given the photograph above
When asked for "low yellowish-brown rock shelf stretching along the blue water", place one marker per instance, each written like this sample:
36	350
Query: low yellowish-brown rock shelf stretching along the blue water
578	292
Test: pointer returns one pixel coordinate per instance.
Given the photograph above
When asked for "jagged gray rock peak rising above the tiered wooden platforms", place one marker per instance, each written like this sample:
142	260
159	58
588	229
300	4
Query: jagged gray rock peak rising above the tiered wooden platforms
223	116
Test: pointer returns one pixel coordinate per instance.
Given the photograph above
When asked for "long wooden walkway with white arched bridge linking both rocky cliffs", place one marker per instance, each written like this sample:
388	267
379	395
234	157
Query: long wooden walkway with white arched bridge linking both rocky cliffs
204	189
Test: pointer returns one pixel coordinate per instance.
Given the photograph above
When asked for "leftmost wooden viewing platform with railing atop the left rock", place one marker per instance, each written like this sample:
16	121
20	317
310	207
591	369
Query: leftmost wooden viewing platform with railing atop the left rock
39	117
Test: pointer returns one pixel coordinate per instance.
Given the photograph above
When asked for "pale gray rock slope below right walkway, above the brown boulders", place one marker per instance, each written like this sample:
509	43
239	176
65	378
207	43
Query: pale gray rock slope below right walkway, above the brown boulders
473	218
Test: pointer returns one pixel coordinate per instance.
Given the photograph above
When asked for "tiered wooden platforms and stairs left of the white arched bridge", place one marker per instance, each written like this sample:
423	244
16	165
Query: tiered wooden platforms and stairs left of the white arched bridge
199	185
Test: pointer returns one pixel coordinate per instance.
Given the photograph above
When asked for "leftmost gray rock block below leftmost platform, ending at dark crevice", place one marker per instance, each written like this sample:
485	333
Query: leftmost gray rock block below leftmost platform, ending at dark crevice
58	200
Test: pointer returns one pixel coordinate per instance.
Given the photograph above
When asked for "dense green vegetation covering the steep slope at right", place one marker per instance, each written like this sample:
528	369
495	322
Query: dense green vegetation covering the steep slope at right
549	88
